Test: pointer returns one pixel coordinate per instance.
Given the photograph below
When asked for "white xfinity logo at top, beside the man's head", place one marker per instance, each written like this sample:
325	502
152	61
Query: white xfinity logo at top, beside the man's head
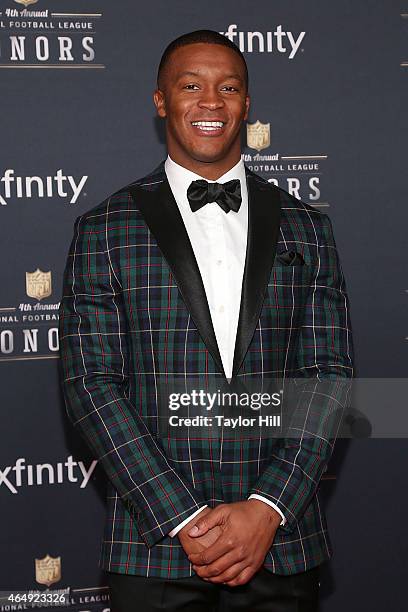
278	40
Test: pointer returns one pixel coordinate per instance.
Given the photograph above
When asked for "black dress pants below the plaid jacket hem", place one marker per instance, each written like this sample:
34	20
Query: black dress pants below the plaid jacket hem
265	592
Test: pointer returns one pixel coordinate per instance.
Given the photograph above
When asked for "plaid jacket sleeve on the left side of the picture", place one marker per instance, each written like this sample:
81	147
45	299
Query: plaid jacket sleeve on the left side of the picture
95	383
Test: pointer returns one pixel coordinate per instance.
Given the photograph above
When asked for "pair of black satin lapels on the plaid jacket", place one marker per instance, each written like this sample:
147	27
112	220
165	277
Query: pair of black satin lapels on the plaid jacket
161	214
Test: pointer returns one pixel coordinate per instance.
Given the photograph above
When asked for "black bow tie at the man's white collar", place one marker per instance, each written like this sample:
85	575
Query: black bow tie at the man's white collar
227	195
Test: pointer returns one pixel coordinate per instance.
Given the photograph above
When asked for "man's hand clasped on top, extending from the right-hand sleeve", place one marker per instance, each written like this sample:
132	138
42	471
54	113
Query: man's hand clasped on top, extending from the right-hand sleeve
248	530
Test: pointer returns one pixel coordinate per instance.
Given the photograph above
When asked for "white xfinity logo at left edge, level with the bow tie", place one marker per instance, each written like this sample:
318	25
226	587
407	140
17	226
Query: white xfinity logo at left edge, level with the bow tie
60	185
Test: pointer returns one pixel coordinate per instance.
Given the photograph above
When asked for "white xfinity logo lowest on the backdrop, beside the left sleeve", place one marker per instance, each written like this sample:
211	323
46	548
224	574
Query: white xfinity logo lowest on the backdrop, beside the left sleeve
19	475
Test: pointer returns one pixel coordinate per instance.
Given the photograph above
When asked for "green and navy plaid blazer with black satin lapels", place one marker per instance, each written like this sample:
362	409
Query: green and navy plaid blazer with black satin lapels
134	309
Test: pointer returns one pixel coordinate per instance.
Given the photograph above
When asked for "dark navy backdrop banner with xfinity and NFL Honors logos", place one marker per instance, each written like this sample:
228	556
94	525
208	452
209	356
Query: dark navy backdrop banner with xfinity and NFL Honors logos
328	85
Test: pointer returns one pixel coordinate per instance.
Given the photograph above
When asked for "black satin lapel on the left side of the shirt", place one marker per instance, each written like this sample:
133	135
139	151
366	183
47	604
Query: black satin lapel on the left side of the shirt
161	213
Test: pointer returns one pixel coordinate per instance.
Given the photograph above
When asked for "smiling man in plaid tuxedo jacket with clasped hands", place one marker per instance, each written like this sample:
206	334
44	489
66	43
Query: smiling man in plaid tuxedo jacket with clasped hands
202	269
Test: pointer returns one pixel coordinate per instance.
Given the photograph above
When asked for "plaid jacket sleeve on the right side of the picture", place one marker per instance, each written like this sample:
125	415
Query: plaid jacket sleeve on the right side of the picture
324	368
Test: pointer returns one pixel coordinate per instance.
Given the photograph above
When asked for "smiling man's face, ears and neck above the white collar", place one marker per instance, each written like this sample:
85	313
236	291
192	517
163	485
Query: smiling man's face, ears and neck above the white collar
204	99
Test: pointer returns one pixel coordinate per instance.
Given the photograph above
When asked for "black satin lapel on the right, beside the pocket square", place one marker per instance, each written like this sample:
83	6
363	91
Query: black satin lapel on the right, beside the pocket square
264	209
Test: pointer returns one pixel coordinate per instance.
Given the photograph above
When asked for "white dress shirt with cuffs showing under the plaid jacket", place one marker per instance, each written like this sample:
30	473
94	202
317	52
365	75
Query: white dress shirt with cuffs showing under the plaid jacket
219	242
